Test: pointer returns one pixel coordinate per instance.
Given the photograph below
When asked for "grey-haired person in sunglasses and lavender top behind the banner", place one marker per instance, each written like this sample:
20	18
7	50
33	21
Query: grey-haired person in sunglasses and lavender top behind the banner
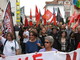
48	44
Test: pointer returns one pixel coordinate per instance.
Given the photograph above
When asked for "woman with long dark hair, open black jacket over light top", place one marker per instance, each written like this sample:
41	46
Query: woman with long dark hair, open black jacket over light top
63	42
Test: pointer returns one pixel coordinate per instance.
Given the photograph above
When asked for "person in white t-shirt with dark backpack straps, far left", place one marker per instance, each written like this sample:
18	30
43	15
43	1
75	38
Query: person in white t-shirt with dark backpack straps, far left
11	46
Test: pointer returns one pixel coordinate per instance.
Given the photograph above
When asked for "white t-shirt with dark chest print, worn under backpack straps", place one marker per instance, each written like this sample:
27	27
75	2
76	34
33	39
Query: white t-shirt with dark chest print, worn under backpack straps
9	48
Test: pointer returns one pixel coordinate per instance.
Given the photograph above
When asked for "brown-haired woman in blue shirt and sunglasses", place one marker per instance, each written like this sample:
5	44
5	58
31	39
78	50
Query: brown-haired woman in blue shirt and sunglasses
33	44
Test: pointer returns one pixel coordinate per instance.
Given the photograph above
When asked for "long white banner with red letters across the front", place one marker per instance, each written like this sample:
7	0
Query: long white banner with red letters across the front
52	55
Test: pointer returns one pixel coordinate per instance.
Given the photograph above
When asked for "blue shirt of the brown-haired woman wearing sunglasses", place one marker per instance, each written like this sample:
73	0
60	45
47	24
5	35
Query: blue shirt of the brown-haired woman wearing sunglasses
32	47
